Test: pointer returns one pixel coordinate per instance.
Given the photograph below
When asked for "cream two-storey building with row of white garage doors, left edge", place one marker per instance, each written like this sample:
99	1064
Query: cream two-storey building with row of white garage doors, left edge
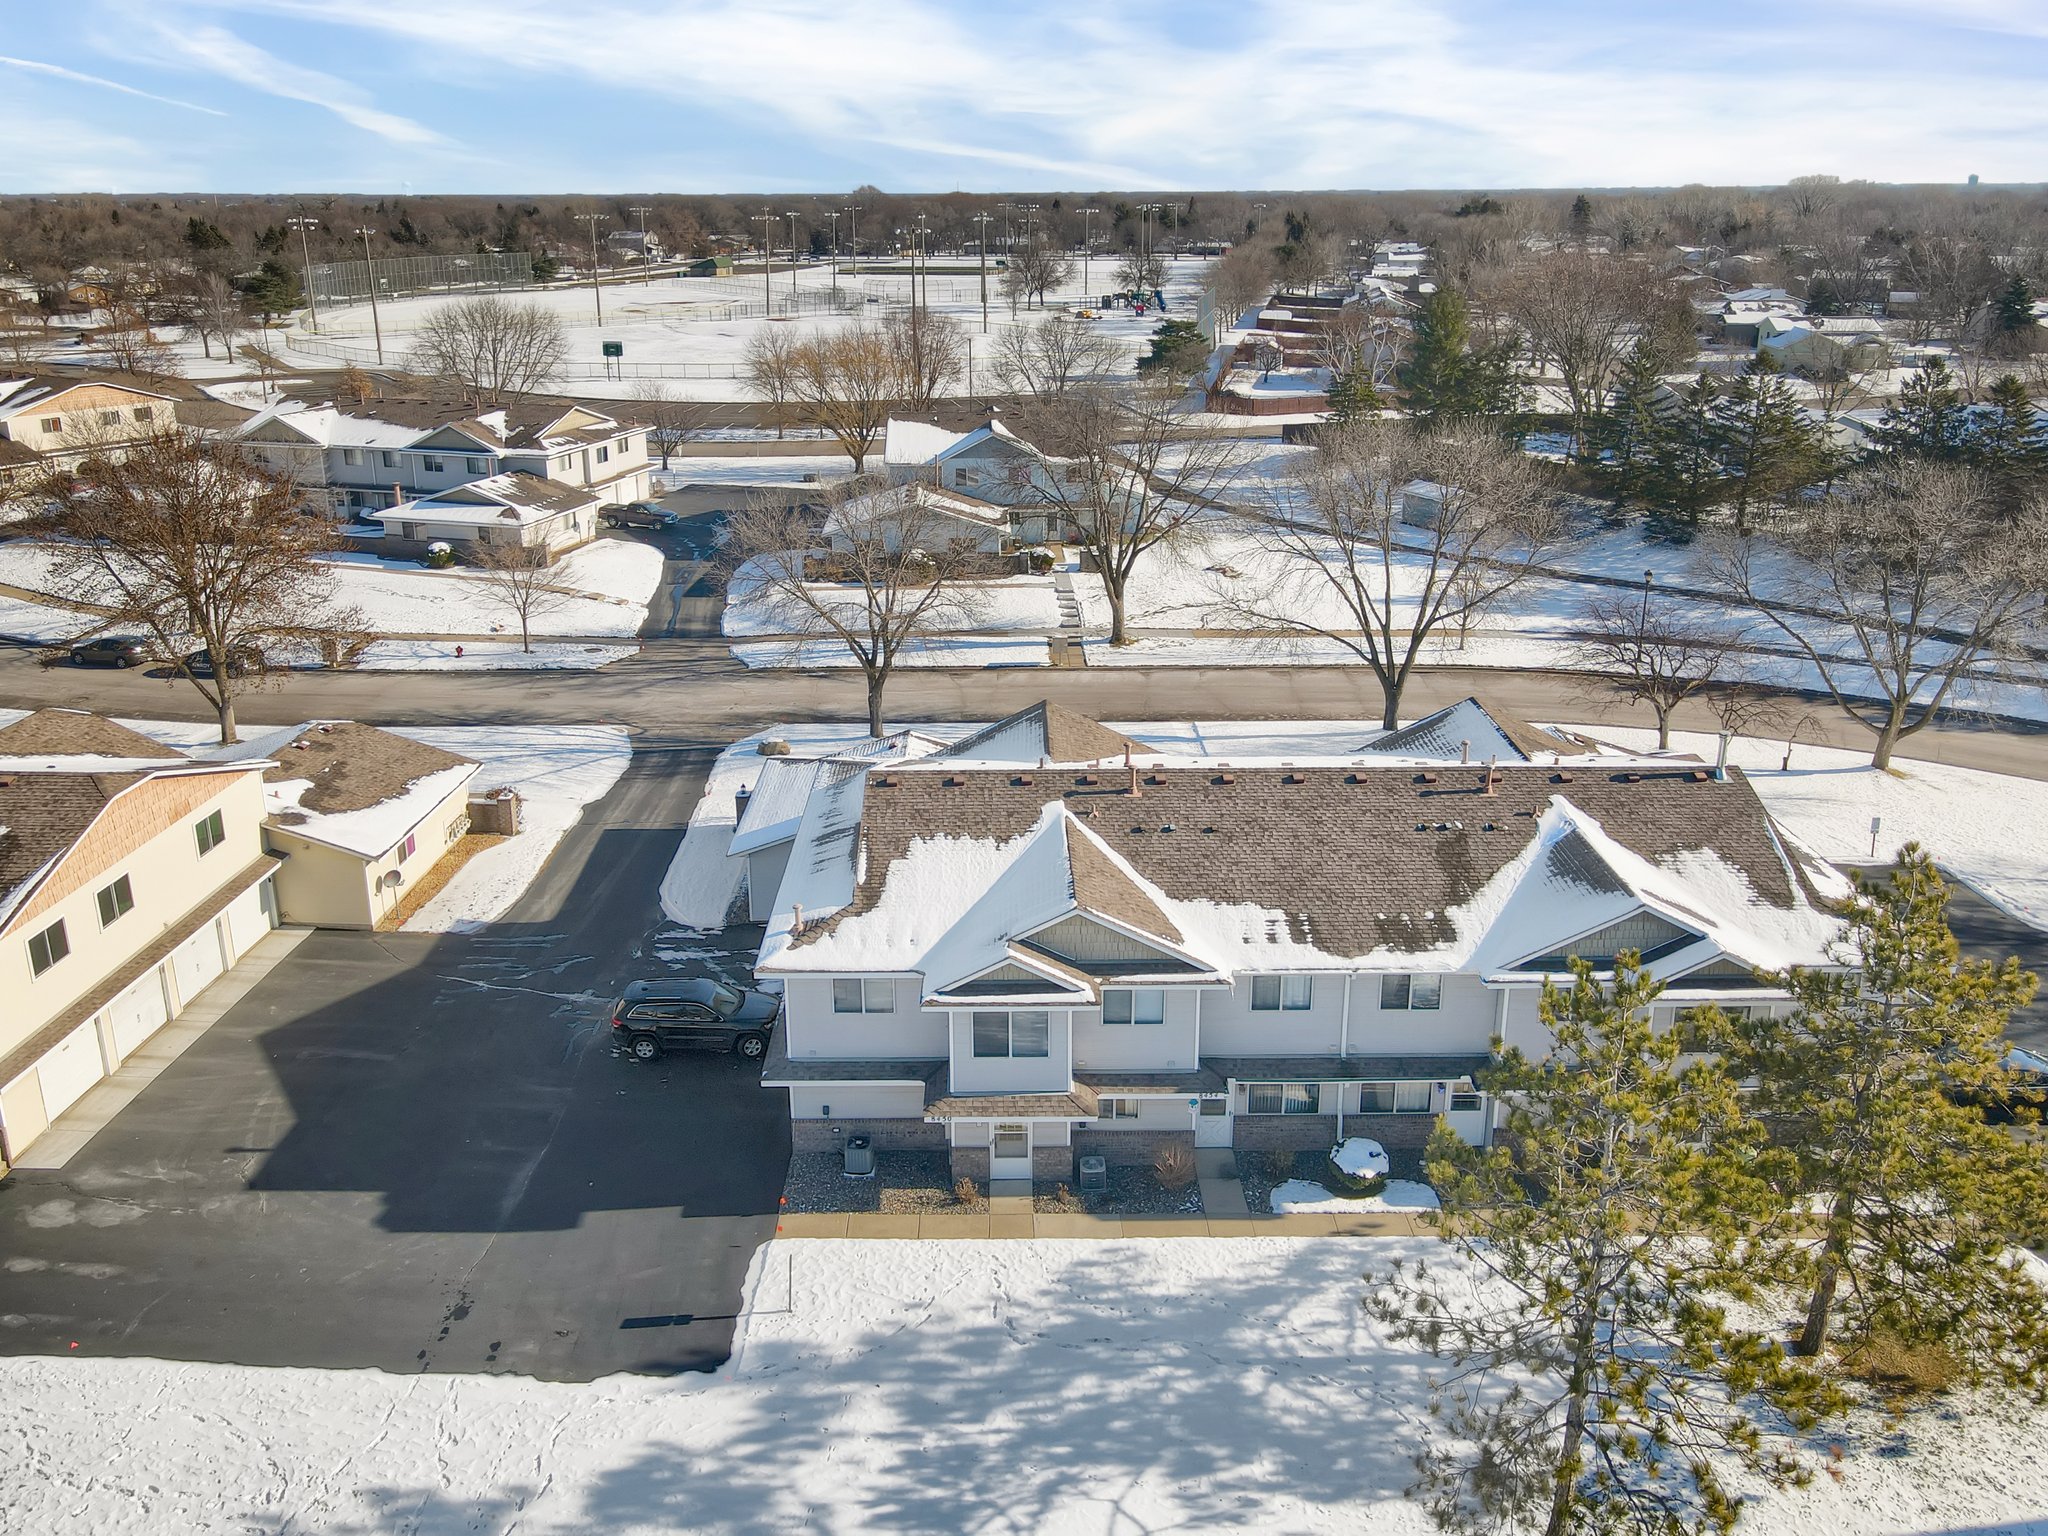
130	880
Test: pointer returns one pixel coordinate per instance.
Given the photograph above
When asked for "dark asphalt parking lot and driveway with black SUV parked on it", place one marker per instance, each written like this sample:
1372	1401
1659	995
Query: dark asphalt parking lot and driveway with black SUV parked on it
425	1154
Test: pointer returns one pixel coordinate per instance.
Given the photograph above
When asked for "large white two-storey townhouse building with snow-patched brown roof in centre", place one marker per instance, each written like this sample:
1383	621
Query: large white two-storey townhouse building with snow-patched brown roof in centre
1056	941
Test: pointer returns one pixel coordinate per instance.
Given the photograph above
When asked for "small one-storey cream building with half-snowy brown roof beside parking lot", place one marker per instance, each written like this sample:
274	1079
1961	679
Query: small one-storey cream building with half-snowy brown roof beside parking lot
359	816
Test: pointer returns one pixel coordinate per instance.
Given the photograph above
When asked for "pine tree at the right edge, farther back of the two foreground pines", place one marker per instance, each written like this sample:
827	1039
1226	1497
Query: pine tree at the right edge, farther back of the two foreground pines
1869	1084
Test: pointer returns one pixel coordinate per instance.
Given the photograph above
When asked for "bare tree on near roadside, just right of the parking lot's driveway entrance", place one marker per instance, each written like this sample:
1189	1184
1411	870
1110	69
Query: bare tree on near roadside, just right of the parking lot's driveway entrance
865	566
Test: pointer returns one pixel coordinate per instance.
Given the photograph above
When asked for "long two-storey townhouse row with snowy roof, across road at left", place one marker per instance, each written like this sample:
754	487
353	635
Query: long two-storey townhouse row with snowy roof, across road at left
368	458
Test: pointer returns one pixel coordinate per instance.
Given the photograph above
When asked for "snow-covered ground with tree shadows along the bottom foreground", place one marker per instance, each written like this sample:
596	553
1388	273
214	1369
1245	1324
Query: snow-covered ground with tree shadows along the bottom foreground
1054	1388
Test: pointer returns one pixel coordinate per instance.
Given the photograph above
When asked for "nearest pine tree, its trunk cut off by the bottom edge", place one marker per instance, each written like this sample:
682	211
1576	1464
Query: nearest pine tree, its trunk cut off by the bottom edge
1596	1383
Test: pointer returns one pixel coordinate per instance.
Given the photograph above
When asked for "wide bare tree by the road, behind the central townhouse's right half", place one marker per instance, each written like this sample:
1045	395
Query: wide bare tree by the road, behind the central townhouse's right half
1390	536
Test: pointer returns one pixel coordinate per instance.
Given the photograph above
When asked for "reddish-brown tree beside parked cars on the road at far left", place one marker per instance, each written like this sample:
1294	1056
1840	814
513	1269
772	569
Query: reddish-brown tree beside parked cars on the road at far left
200	550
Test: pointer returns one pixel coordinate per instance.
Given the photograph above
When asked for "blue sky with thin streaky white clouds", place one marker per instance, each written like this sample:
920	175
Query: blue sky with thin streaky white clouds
931	95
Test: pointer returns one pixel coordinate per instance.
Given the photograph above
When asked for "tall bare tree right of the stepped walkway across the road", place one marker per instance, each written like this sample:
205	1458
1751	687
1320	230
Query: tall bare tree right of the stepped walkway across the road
1132	476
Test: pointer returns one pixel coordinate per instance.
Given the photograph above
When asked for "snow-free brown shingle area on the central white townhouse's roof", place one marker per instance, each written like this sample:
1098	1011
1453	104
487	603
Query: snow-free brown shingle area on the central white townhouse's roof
1357	859
